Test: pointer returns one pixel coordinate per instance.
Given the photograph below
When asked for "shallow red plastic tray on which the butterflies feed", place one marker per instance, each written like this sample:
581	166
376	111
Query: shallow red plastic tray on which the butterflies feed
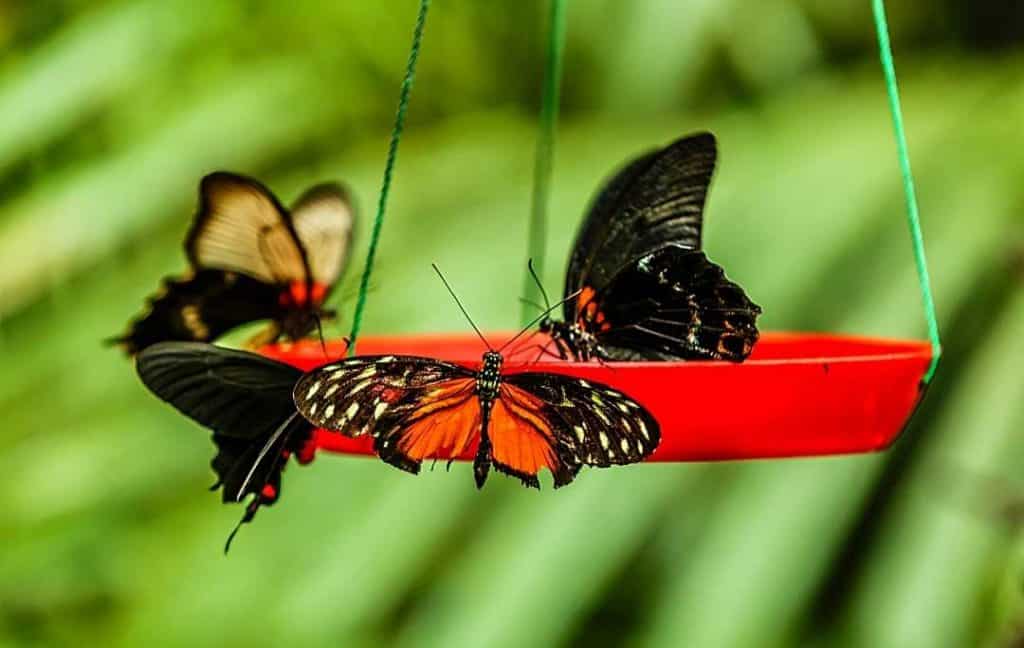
798	395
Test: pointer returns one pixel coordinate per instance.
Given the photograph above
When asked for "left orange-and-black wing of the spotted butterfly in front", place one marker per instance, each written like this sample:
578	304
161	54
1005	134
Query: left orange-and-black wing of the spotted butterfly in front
415	408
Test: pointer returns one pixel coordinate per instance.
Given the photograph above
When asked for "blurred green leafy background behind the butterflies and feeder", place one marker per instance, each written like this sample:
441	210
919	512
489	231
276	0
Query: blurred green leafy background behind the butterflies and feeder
112	111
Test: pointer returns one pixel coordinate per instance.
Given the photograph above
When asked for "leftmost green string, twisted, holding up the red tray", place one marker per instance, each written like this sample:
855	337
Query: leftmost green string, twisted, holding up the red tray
393	154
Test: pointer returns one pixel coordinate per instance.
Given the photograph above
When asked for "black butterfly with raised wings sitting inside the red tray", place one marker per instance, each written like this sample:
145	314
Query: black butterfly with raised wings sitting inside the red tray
646	290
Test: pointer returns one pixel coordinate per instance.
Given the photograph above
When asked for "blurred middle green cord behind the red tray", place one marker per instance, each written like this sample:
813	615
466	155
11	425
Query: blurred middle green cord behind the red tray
545	153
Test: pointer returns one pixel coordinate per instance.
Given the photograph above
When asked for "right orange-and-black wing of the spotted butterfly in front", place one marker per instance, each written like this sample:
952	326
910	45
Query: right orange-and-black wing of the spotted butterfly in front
565	423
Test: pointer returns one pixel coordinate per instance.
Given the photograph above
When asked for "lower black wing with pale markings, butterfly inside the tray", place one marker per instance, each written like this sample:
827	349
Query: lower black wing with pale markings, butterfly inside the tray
670	305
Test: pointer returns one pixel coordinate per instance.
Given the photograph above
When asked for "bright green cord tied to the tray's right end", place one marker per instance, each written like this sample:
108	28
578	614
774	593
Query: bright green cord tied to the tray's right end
912	201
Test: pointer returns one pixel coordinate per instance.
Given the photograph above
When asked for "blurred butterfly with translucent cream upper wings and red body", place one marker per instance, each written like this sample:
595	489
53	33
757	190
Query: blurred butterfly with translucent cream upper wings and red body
251	260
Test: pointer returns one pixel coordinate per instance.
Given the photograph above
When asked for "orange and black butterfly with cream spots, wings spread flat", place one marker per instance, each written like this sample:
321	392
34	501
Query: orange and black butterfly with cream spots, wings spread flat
420	409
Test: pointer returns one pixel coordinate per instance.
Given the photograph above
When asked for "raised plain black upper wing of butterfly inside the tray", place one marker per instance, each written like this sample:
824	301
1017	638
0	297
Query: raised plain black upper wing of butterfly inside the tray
657	199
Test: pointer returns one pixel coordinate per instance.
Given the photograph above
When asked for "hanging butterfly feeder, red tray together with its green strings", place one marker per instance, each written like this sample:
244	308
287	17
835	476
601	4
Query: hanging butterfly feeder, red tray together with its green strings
796	395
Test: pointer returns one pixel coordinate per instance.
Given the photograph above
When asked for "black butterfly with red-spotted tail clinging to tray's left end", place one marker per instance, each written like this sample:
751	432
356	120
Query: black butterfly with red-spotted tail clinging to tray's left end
246	401
